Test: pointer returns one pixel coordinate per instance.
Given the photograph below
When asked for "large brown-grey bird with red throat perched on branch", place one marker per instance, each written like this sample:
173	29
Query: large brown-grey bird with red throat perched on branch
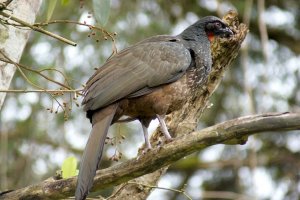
145	81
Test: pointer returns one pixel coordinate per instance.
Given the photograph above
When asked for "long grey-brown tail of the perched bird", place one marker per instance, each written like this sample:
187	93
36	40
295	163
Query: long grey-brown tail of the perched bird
90	161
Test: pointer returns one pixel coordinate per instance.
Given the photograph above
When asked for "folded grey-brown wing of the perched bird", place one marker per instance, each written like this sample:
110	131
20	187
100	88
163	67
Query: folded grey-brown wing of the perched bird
150	63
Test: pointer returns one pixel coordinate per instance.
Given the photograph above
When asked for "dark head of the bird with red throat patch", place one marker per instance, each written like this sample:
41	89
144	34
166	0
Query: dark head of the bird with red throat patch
214	26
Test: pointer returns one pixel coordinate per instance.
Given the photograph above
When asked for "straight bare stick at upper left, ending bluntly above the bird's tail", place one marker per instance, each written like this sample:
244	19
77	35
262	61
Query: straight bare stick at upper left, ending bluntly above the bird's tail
38	29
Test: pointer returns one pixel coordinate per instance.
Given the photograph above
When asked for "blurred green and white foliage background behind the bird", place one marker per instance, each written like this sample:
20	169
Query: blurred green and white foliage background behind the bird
265	77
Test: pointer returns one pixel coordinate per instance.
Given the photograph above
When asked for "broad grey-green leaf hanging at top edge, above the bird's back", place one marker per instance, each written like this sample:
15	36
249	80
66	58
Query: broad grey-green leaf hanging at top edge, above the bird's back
101	11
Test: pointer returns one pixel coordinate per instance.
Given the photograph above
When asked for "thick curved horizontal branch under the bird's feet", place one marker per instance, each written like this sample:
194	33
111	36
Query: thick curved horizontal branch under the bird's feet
229	131
